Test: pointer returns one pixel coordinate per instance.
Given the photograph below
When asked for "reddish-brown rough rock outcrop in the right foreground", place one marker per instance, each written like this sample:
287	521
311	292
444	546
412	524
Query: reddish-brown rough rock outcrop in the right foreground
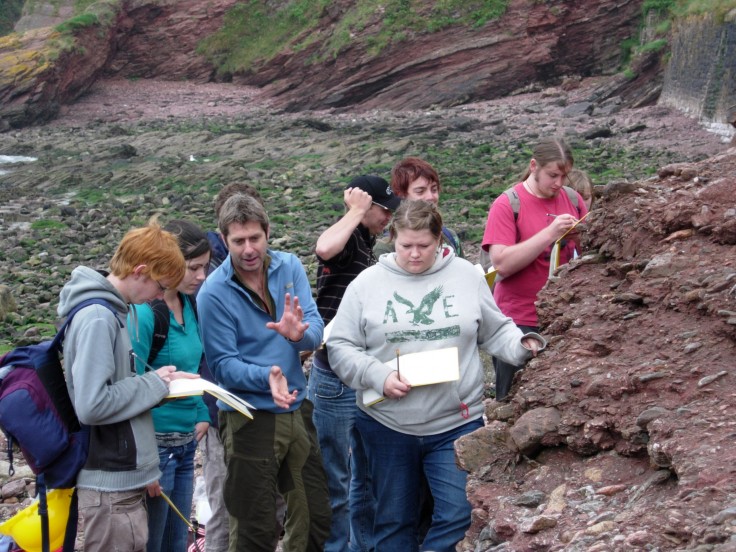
620	436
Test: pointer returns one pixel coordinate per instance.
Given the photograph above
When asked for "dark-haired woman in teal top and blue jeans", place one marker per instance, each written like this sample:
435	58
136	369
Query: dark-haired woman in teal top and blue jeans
180	423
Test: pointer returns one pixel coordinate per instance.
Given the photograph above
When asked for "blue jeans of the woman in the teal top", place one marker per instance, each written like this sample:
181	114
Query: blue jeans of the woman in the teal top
166	530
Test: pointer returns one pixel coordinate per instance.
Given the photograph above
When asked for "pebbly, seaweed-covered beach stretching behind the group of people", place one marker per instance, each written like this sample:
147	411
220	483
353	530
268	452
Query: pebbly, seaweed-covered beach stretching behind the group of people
132	149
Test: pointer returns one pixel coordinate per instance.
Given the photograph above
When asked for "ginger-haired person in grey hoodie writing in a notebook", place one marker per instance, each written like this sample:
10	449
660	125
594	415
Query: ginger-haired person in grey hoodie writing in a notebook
117	407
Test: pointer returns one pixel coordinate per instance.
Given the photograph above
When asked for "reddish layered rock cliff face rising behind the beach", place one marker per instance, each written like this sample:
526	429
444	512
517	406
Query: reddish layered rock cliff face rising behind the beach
533	43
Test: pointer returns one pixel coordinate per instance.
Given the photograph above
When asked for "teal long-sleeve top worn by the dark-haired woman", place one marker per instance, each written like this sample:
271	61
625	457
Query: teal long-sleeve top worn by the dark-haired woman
183	349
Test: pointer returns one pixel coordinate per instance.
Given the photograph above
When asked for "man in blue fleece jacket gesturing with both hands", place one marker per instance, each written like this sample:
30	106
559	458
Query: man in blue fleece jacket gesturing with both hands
256	314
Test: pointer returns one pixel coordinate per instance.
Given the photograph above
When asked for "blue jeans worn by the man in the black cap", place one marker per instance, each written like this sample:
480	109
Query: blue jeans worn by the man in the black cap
351	500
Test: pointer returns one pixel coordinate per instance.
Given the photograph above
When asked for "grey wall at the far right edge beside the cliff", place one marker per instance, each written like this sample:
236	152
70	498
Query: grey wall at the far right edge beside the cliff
700	78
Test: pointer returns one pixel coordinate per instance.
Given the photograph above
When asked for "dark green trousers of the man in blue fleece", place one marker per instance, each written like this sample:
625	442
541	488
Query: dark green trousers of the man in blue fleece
274	452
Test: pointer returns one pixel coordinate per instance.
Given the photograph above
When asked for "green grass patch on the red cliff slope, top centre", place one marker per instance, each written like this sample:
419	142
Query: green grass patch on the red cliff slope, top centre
253	32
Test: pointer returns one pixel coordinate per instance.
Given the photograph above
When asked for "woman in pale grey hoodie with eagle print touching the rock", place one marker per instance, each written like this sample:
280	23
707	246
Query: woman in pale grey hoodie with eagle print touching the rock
420	298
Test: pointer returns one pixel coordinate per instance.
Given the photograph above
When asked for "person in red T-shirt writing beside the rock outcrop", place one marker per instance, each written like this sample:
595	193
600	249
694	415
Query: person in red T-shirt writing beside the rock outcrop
520	242
